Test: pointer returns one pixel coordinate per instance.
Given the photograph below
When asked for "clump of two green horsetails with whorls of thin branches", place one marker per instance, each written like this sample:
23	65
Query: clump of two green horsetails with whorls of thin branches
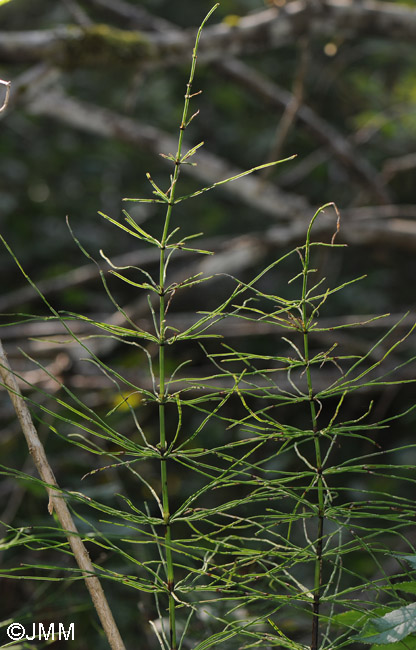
261	546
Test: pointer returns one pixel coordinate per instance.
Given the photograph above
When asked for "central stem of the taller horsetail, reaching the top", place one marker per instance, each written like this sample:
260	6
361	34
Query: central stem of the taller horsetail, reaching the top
170	574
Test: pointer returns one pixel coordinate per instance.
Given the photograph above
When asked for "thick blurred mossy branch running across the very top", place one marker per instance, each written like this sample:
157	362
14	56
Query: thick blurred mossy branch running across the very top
102	45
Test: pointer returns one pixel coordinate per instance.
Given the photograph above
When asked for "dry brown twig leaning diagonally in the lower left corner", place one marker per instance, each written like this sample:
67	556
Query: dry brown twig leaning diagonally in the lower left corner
57	503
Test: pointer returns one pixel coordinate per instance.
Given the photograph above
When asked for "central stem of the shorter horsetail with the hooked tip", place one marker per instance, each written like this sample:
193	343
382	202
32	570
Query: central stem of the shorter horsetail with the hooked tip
318	457
